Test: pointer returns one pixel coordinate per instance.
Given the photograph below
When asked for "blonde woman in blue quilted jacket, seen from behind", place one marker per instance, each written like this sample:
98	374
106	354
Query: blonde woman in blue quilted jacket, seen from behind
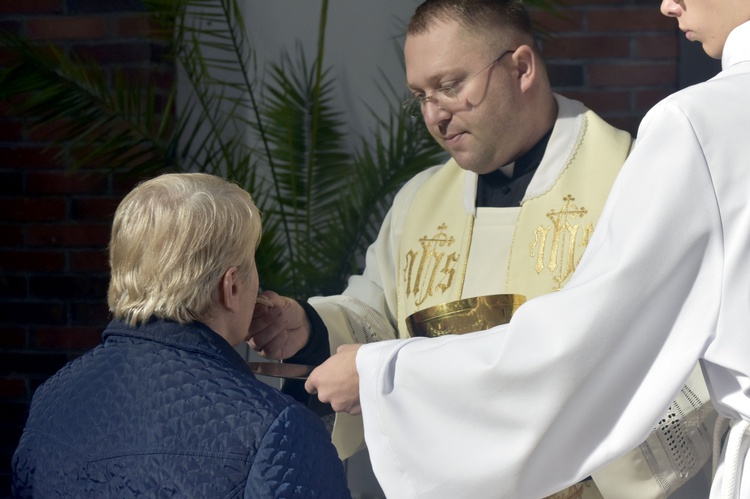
165	406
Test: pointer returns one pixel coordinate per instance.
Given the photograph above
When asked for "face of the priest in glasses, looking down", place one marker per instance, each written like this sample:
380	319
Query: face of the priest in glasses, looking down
471	105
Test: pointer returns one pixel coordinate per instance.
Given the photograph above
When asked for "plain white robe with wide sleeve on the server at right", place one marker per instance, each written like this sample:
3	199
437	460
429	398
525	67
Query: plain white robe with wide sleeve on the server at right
580	376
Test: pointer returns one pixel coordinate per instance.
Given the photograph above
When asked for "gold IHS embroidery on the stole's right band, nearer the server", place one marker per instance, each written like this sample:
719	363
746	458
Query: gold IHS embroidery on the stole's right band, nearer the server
558	255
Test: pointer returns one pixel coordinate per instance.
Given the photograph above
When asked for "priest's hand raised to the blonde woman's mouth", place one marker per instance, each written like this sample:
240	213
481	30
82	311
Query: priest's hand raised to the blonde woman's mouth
279	328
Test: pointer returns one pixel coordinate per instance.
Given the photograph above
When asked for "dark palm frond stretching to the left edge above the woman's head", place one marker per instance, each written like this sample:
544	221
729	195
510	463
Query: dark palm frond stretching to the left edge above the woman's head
122	124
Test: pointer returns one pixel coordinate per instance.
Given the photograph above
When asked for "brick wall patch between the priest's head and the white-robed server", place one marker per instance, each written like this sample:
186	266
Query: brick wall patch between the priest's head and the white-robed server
619	57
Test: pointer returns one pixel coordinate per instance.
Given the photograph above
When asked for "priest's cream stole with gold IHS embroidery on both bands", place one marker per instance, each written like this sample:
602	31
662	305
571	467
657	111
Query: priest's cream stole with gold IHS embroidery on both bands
552	231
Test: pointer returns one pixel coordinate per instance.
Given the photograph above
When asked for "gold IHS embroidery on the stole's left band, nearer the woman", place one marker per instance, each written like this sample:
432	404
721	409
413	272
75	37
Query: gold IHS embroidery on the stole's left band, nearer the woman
431	268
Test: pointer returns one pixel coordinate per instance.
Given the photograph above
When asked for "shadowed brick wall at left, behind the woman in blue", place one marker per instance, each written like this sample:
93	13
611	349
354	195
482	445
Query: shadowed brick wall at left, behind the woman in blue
54	224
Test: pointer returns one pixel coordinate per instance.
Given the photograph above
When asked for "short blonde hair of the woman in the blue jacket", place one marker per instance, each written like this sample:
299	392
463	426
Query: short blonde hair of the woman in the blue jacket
173	238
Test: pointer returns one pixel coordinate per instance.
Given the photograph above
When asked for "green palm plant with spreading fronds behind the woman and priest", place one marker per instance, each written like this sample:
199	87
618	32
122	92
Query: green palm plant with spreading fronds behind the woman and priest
281	139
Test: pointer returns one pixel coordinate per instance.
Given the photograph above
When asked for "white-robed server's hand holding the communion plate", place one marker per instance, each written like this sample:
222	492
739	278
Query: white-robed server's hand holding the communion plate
336	381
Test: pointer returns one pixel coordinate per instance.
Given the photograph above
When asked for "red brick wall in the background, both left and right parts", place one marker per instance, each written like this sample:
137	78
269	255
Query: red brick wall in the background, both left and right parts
618	57
